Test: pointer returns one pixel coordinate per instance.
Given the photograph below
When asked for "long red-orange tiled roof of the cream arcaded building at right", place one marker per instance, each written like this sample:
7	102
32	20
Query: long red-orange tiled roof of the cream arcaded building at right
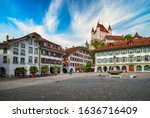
125	44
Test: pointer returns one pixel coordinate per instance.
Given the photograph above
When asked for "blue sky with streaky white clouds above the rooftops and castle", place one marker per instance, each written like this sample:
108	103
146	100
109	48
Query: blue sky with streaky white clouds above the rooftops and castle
69	22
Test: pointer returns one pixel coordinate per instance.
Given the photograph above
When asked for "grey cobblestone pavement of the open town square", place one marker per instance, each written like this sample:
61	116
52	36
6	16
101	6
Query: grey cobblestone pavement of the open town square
79	86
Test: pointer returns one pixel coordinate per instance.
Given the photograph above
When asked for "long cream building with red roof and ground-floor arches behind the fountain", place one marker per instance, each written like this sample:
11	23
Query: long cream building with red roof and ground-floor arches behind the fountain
130	56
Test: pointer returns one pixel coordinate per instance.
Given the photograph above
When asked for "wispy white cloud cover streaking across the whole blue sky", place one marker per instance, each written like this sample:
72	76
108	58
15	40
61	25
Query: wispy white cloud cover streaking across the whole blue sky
83	19
